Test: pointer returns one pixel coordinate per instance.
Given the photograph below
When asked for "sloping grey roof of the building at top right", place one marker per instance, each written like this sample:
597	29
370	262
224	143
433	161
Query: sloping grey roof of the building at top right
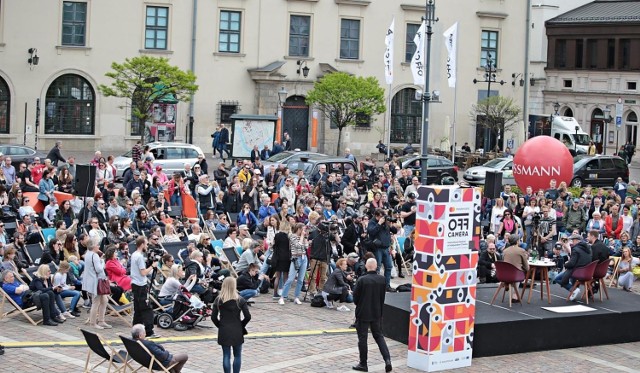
601	11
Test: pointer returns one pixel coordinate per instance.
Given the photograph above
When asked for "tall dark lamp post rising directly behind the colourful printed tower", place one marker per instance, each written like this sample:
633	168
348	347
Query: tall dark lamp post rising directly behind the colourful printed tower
430	19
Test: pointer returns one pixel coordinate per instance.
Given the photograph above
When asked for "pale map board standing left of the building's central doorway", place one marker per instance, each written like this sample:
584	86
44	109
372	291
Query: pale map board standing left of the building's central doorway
247	133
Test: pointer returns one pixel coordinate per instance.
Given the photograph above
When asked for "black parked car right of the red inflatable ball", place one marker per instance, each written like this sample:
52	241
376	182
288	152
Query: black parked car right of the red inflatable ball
599	170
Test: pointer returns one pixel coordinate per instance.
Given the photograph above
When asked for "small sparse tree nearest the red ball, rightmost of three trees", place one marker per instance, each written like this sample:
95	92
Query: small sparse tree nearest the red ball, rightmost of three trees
496	113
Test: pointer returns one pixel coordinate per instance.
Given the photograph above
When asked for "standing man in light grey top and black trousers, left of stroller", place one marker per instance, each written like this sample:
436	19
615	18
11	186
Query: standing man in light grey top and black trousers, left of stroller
140	269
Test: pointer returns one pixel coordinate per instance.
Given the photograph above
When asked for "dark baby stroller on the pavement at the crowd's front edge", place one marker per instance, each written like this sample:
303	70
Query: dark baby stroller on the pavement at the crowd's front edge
188	310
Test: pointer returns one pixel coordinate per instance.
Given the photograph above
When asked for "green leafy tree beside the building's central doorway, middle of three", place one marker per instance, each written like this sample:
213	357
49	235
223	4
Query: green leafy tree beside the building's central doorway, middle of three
344	99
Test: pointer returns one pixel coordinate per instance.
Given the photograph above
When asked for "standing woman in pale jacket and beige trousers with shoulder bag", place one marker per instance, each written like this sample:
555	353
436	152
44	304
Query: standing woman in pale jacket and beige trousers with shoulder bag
94	271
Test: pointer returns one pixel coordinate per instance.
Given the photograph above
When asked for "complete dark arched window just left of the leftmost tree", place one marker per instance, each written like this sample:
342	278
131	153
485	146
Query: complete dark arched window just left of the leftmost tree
70	106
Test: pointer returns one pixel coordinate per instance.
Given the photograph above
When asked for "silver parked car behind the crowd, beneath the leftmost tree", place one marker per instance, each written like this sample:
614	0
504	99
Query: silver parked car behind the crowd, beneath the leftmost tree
170	155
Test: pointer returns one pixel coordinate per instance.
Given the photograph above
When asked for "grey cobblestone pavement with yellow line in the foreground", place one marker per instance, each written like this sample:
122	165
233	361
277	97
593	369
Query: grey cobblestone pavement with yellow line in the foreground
289	338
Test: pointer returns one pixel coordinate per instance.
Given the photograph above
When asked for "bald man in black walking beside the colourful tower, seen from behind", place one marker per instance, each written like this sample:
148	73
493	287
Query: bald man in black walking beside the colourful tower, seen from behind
368	297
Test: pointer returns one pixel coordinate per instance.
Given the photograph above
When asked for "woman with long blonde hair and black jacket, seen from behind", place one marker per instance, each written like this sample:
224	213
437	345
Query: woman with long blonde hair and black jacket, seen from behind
231	327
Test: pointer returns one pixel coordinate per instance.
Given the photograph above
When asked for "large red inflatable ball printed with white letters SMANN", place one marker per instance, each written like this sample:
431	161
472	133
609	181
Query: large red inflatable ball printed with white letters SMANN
539	160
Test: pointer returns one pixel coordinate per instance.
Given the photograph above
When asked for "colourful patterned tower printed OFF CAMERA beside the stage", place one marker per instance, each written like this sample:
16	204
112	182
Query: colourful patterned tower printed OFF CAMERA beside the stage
443	295
